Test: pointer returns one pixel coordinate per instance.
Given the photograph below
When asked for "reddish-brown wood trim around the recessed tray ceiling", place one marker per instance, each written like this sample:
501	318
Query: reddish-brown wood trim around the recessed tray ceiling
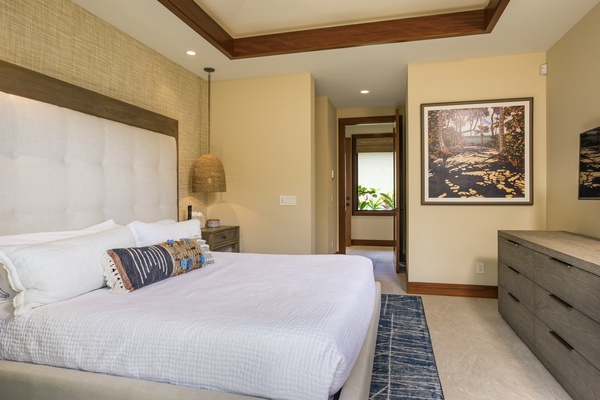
393	31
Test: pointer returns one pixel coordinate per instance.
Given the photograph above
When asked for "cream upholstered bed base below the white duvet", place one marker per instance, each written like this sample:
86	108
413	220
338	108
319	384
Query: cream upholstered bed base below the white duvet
23	381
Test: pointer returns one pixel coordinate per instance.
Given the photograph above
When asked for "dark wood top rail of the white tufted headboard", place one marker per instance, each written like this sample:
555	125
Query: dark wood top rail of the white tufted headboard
34	85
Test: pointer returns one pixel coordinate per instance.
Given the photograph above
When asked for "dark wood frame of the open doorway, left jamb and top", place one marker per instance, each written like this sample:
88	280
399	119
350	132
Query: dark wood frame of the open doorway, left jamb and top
342	124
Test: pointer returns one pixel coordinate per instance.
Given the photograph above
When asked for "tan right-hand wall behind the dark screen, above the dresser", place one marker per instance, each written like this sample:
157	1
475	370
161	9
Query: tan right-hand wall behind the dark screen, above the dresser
573	108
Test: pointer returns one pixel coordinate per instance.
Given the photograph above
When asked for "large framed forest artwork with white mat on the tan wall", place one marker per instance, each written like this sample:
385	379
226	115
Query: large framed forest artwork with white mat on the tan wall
477	152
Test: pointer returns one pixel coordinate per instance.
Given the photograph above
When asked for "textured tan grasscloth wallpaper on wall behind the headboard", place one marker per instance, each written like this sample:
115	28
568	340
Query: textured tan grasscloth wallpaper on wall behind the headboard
60	39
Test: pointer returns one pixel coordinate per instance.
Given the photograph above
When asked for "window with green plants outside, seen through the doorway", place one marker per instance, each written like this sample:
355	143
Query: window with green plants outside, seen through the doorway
373	174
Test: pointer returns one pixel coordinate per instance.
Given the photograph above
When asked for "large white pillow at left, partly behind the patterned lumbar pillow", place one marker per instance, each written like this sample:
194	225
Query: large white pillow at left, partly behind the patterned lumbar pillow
45	273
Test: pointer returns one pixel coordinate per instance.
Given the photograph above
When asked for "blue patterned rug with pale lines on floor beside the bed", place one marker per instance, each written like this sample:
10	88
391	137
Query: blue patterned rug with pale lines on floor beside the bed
404	366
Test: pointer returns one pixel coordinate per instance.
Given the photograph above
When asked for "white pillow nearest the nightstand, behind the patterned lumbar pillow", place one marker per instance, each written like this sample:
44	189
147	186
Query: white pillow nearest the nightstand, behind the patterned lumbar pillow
148	234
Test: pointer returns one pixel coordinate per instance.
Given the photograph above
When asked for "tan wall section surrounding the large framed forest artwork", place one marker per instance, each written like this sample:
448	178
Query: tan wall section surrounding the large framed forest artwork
445	241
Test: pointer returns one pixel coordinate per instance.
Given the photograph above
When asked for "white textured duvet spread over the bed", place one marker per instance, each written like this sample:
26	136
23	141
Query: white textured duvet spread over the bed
273	326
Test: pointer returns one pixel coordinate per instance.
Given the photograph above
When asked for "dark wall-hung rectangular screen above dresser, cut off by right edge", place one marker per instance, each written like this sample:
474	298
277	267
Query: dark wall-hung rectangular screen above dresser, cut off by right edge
589	165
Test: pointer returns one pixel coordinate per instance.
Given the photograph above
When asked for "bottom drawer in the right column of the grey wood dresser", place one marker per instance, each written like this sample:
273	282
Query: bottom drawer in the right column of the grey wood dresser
580	378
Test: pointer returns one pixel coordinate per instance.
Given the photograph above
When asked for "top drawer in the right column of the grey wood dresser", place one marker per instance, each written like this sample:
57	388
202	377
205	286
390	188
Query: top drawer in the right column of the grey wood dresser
577	287
